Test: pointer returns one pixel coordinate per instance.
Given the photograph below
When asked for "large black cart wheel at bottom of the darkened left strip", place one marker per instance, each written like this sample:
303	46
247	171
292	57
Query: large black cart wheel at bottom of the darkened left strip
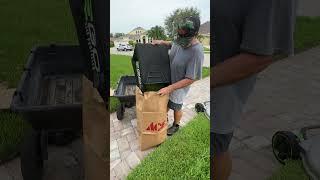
30	156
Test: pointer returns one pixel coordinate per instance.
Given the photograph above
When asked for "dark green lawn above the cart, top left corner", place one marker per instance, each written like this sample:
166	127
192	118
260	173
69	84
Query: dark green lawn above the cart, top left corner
24	25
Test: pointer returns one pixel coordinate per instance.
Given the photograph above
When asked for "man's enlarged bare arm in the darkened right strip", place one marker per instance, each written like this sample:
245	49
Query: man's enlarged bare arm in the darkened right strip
237	68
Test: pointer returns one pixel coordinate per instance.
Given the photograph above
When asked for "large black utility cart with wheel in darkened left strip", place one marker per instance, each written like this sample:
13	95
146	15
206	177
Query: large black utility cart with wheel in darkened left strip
49	98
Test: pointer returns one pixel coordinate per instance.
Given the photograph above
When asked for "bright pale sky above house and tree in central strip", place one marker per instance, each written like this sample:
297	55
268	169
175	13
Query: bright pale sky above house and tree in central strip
128	14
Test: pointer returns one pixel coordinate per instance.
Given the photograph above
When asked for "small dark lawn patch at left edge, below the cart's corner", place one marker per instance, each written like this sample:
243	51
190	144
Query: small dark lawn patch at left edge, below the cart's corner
12	128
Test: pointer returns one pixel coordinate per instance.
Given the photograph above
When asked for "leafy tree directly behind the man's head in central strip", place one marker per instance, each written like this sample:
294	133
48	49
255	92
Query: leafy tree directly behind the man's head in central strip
176	16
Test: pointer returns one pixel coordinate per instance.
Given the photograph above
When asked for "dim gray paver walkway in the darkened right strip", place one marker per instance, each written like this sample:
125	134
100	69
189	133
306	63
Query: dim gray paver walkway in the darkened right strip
286	97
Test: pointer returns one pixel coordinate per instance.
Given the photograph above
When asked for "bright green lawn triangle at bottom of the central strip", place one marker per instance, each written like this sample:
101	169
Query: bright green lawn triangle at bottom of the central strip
183	156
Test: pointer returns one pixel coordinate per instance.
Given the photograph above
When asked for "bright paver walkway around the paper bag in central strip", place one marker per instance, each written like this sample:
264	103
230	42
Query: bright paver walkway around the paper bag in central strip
124	148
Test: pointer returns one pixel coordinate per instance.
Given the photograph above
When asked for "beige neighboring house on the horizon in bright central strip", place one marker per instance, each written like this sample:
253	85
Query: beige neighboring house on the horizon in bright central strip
138	35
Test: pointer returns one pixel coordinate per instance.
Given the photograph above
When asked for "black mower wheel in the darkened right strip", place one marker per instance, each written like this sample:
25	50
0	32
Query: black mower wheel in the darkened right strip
285	145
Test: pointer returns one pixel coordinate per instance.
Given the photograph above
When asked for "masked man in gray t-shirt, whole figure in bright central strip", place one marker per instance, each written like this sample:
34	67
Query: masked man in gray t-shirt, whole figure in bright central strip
186	58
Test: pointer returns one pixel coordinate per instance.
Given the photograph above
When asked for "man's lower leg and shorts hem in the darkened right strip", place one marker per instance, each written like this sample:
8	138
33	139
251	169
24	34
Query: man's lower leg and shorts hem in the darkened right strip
221	159
